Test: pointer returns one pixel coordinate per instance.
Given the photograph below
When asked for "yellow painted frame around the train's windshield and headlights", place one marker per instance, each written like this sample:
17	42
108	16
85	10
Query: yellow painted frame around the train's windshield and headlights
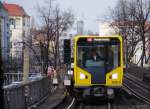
87	82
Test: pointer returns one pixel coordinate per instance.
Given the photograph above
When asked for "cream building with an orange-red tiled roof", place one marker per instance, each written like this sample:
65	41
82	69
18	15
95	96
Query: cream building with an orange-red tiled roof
19	28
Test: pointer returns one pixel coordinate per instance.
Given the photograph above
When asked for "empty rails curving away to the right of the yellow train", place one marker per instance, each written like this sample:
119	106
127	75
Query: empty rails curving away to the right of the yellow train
140	91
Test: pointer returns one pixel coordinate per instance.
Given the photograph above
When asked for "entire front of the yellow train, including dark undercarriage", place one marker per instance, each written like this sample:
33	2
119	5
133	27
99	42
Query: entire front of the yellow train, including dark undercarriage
98	65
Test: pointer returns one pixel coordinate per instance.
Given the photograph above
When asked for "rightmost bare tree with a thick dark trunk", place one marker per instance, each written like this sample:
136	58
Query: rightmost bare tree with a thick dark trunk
142	14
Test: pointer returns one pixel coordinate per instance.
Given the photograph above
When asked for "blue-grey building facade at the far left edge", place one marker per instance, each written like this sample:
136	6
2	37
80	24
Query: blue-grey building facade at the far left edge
4	33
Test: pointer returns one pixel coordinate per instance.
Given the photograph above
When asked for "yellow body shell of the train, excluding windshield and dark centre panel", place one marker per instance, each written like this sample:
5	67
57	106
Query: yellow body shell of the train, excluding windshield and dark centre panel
109	82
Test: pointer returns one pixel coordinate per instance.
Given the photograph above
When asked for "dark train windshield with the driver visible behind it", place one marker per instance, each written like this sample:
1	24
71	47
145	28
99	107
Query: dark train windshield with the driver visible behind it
101	54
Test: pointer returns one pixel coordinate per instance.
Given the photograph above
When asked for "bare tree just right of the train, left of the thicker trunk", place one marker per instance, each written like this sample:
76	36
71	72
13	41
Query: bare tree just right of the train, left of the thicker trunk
125	25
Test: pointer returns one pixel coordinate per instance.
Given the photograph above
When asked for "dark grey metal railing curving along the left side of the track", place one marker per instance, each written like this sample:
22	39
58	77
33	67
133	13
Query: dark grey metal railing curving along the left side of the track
26	95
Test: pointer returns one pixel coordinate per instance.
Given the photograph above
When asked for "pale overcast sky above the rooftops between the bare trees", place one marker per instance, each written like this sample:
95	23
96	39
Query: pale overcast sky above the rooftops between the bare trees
87	10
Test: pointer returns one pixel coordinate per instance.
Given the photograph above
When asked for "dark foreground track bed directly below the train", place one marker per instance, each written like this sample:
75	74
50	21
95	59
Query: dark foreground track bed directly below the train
71	103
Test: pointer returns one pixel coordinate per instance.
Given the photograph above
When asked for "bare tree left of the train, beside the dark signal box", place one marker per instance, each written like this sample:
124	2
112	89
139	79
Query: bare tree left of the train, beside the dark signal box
55	22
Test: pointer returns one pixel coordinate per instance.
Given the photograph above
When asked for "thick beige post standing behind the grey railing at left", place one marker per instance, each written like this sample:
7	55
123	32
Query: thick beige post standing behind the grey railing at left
26	65
